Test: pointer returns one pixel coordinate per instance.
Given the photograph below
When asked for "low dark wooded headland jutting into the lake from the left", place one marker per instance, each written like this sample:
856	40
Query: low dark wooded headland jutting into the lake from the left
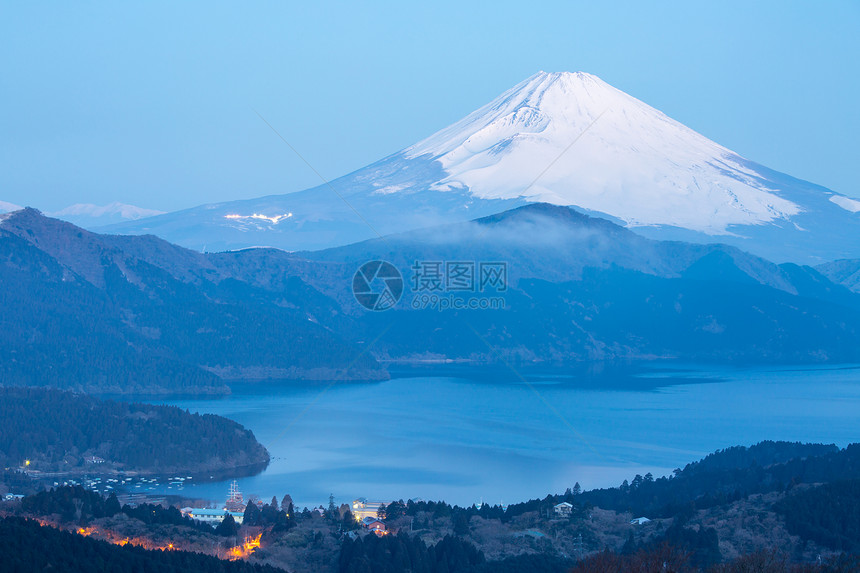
55	430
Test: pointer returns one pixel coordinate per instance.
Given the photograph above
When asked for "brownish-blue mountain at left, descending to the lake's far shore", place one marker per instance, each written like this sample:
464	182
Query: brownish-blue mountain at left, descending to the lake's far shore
94	313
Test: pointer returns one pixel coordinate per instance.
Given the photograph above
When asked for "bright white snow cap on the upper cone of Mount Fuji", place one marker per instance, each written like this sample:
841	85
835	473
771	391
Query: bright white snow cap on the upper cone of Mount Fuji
572	139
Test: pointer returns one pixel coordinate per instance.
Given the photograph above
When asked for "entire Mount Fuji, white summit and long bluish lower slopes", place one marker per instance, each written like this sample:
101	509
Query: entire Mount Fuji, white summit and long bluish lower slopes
562	138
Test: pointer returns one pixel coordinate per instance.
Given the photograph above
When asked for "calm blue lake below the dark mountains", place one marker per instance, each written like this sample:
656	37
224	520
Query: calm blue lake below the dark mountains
465	436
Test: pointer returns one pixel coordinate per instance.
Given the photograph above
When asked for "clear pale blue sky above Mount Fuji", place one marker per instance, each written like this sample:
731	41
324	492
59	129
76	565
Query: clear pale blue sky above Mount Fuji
153	103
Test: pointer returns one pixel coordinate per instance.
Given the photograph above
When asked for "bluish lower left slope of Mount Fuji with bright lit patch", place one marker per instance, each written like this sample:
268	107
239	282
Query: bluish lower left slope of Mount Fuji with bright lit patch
318	218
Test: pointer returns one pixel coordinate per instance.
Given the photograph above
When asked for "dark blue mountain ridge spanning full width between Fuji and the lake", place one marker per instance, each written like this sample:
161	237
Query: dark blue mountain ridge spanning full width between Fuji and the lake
578	289
